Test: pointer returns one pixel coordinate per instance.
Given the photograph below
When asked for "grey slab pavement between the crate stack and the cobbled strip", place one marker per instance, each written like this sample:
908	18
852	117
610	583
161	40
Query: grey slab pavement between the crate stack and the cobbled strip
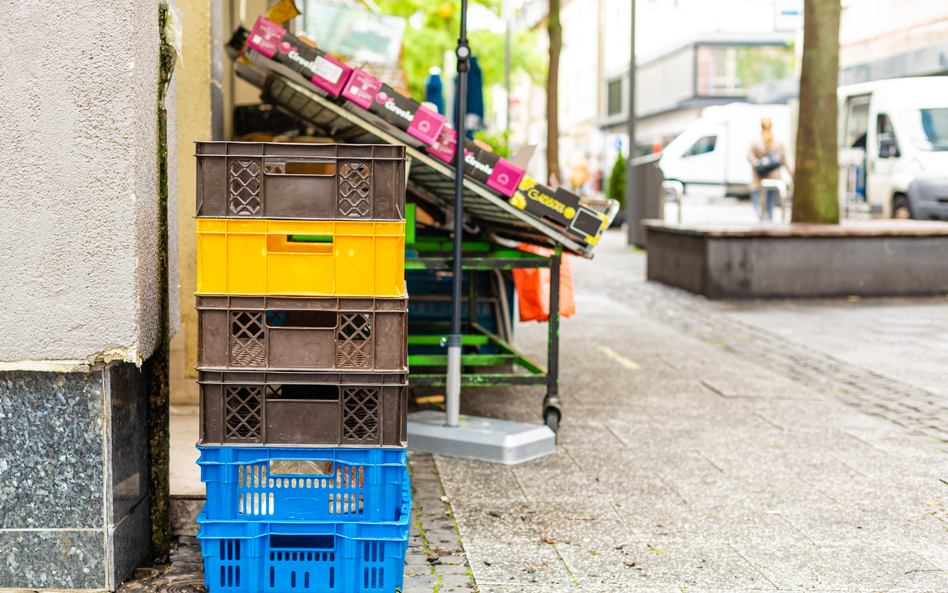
698	453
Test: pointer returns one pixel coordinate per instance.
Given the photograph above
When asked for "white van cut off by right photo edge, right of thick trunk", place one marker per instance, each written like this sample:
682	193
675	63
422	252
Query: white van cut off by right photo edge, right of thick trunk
895	135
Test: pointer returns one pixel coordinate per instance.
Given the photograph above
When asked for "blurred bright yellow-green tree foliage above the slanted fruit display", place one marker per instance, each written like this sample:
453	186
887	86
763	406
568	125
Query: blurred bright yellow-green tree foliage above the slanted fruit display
425	46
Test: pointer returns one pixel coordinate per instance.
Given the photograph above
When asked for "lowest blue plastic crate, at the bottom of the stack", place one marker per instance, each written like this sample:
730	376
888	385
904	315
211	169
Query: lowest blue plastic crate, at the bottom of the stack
242	557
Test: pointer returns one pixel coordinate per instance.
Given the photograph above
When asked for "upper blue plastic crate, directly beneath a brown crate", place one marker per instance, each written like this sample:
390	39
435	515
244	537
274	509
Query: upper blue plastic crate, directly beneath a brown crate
278	484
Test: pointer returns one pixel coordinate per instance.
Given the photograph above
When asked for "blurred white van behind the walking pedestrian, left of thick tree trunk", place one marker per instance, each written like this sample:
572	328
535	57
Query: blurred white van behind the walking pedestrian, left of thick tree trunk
710	156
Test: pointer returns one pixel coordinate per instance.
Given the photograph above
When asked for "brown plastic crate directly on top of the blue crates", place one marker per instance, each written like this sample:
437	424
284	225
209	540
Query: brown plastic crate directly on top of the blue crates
306	409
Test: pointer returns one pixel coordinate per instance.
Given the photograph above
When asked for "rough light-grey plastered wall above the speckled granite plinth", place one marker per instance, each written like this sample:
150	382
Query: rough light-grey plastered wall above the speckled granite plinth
78	206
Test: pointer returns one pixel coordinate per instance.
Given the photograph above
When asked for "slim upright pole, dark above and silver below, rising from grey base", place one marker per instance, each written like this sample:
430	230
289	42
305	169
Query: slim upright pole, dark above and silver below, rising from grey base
453	380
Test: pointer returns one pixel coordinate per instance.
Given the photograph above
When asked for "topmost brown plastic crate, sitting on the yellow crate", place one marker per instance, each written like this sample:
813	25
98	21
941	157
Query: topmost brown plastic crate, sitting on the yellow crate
300	181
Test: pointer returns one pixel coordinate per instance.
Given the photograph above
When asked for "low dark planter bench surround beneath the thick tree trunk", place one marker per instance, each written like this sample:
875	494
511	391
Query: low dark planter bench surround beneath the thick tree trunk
865	258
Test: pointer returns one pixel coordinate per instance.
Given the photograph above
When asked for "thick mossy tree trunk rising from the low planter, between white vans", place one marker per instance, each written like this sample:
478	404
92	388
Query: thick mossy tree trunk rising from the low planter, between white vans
816	190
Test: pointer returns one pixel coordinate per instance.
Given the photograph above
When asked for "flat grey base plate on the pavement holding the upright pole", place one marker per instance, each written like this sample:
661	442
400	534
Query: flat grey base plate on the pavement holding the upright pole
484	439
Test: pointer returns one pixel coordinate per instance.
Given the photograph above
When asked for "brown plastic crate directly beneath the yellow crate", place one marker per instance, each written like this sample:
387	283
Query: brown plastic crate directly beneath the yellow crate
303	334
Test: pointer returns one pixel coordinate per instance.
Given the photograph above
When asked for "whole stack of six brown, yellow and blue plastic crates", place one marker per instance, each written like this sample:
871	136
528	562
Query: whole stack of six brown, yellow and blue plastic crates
302	360
